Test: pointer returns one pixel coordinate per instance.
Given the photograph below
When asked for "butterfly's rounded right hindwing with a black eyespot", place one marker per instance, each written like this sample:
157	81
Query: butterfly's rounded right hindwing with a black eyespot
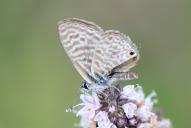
116	53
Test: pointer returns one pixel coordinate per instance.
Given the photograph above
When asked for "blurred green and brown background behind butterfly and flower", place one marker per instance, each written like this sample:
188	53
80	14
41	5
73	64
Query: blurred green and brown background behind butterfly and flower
38	82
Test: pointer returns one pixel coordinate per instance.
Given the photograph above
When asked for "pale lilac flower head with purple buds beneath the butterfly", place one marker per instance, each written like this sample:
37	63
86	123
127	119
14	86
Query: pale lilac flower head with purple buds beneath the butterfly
116	107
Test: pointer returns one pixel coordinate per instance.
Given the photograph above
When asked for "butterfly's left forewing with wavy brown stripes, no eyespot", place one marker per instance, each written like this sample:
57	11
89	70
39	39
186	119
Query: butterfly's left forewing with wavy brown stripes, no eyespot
79	39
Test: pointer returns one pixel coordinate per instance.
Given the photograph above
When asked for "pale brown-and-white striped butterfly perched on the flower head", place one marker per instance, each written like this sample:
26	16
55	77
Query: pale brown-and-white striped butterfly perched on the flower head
101	57
